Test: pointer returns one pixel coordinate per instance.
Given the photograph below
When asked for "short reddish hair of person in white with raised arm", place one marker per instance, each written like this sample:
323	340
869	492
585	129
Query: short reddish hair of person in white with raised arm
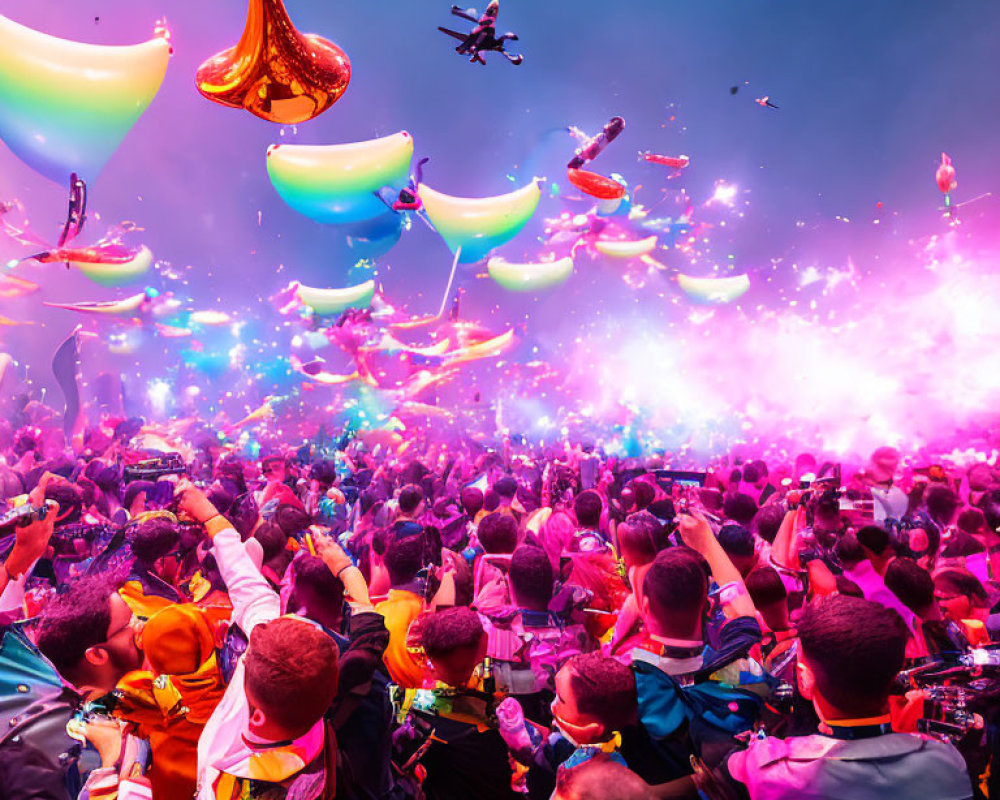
291	672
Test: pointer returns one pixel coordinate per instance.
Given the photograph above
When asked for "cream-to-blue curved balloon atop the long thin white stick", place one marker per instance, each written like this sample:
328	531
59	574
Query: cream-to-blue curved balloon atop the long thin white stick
478	225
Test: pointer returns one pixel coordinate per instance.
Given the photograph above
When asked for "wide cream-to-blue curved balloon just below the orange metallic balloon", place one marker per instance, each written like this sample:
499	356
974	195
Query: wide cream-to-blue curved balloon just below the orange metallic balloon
337	183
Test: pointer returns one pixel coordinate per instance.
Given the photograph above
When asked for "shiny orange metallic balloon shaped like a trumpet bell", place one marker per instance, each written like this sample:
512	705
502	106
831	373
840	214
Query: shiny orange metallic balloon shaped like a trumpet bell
275	72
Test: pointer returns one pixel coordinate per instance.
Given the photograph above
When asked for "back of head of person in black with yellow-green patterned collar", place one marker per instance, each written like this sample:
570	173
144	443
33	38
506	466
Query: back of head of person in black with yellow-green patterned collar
454	642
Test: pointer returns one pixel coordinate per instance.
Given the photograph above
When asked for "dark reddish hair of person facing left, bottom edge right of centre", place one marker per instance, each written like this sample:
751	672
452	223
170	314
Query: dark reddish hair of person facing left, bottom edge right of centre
603	688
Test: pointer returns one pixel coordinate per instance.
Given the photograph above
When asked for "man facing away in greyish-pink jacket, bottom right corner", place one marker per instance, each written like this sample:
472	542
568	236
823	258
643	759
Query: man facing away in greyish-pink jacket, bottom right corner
851	651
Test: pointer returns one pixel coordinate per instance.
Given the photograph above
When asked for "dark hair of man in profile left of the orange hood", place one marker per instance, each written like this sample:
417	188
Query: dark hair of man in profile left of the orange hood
74	622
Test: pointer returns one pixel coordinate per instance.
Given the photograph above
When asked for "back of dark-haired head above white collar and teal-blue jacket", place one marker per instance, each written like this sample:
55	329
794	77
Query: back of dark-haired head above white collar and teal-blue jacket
675	593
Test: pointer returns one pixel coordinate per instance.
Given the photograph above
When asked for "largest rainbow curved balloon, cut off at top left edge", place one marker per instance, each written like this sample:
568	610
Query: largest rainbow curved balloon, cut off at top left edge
66	106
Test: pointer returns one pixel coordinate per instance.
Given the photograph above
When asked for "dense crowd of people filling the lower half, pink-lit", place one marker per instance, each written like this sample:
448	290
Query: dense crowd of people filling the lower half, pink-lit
416	619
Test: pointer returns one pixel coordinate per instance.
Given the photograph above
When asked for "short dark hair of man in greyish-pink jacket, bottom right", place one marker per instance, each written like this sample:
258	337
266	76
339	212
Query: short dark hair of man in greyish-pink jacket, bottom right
855	649
